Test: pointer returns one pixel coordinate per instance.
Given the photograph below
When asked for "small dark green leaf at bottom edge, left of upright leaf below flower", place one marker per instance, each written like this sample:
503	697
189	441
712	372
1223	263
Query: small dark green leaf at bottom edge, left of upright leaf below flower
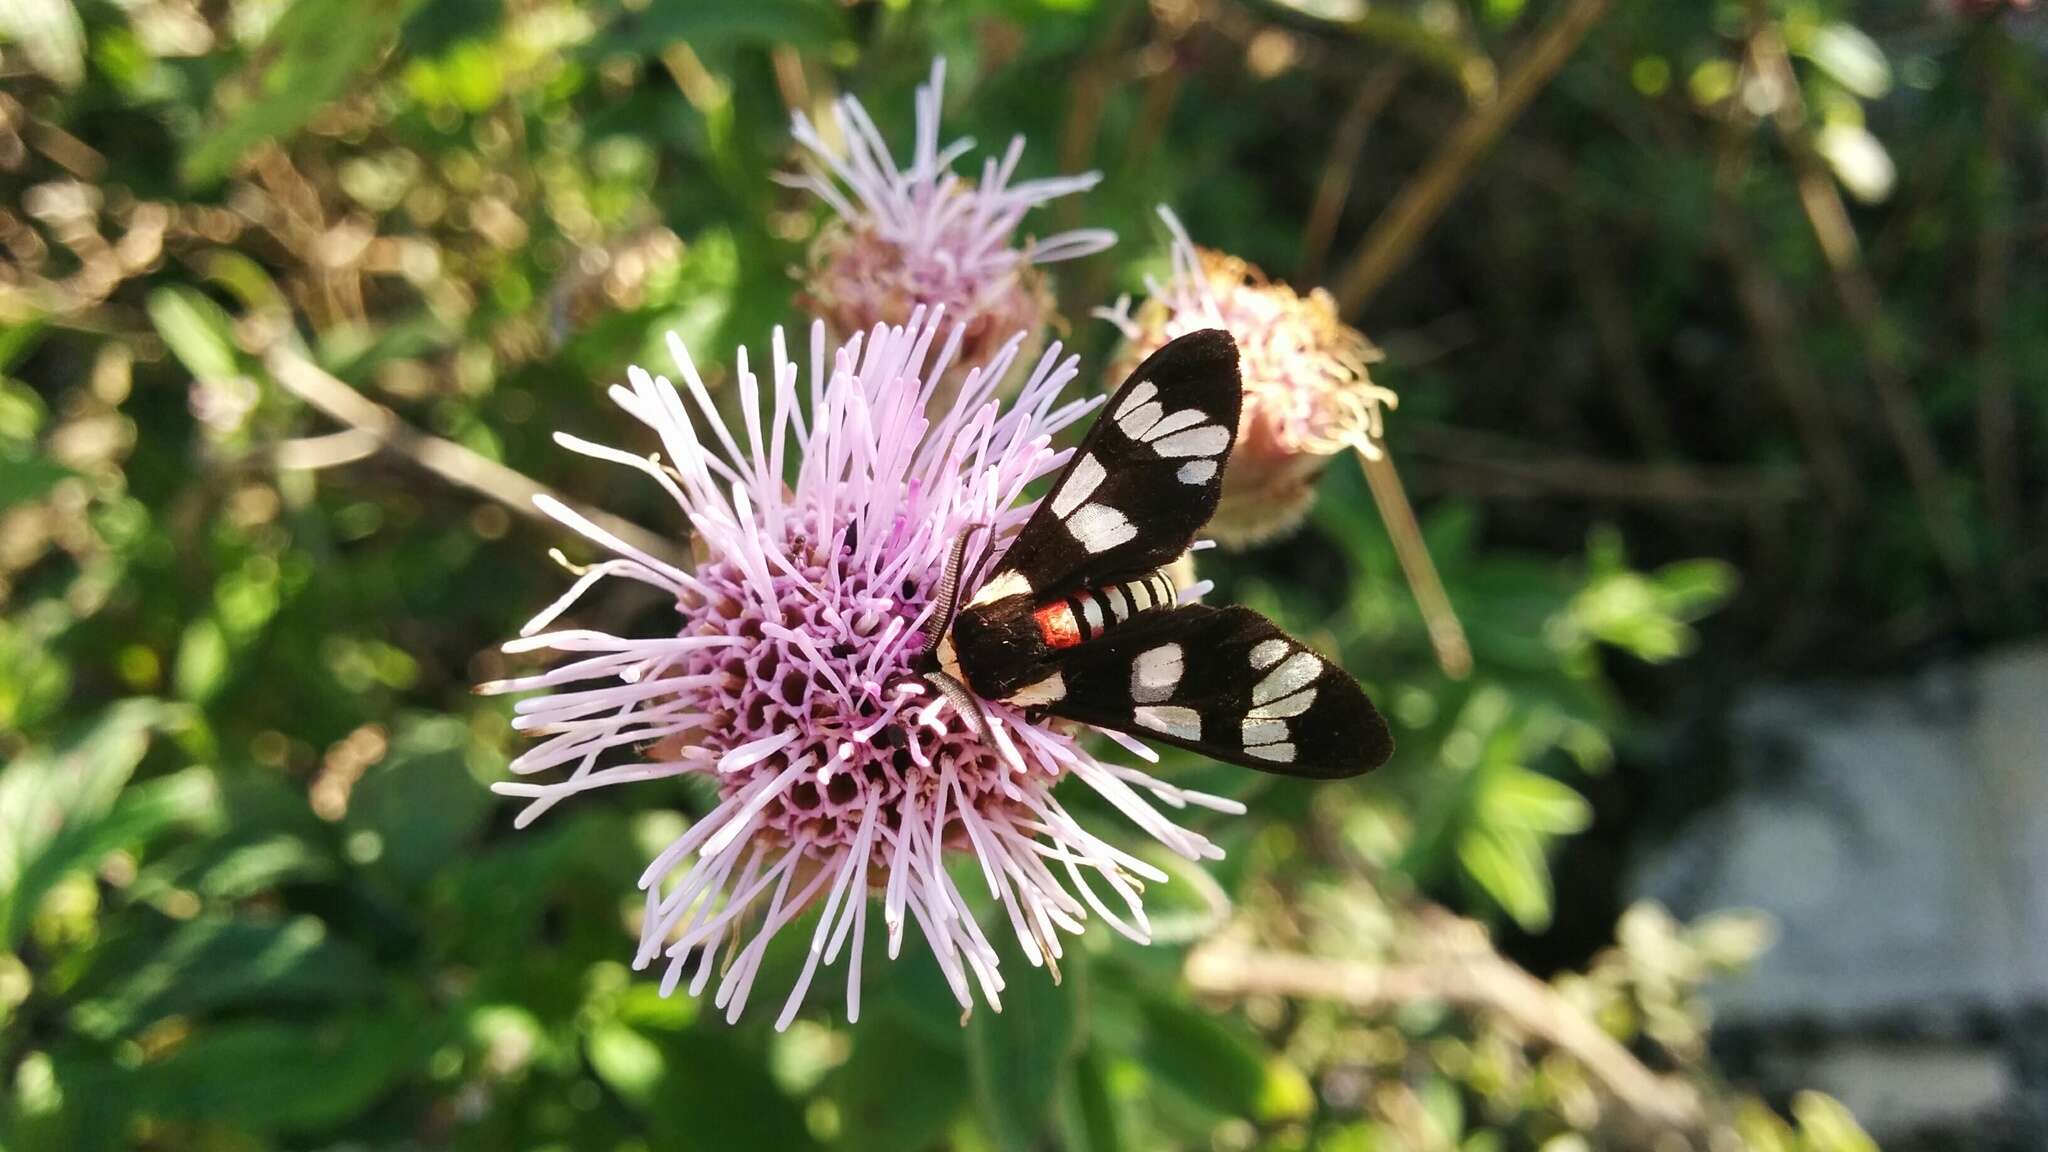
878	1110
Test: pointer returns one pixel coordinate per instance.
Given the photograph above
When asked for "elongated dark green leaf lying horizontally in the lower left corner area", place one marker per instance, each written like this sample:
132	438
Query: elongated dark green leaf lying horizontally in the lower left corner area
218	962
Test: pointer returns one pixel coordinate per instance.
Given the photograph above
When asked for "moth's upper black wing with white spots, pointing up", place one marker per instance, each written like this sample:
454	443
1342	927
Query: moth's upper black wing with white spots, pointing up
1146	479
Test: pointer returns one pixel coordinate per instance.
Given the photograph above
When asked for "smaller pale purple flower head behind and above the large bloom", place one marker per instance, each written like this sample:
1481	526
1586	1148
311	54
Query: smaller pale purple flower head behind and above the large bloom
925	237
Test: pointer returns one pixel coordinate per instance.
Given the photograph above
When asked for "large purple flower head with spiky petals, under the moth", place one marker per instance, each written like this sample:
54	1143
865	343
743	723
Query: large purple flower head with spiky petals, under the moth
785	682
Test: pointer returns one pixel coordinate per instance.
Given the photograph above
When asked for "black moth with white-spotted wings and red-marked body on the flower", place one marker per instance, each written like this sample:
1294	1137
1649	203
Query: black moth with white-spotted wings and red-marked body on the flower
1080	618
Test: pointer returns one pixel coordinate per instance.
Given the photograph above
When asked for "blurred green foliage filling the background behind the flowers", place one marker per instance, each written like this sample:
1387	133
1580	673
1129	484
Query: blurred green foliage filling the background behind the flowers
253	889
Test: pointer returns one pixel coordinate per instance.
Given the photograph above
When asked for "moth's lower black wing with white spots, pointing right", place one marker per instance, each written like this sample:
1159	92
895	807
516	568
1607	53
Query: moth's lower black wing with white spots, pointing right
1226	684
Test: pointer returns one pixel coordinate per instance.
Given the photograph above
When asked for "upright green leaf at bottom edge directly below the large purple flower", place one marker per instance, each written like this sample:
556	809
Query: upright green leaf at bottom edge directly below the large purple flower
1021	1055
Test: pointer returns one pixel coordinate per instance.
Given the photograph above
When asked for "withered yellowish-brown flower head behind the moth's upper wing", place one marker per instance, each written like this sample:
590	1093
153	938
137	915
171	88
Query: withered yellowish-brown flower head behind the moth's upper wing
1308	390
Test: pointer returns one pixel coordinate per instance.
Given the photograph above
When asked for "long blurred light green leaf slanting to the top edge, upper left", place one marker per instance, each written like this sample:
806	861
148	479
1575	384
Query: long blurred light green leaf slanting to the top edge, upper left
314	52
